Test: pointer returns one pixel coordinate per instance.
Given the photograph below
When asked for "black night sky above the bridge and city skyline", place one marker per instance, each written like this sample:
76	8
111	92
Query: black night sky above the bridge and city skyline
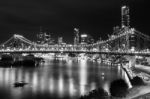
60	17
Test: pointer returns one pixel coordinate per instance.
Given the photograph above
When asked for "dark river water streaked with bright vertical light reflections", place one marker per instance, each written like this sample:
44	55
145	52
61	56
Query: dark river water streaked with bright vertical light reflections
57	79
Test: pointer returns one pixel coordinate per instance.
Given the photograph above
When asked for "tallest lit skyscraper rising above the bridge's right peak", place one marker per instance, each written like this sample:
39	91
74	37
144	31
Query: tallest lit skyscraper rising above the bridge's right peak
125	17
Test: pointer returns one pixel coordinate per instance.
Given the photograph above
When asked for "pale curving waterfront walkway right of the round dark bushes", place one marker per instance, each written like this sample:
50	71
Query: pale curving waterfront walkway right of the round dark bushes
141	92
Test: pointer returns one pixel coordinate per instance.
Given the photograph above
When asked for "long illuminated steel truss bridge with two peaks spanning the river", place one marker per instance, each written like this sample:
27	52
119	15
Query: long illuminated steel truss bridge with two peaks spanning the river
128	41
